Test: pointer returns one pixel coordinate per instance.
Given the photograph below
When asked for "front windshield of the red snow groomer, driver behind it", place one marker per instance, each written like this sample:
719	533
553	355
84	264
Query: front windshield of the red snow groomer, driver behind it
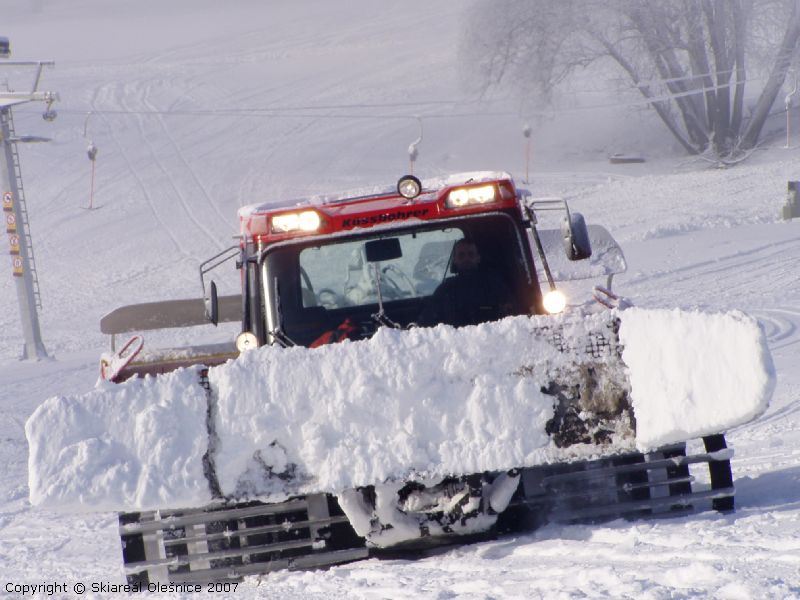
313	287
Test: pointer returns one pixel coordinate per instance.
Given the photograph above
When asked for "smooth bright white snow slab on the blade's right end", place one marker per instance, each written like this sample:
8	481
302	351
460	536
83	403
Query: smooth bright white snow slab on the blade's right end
693	373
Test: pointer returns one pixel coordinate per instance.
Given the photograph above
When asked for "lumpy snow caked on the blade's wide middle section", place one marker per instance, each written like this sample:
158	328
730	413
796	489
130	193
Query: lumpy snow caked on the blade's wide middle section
433	401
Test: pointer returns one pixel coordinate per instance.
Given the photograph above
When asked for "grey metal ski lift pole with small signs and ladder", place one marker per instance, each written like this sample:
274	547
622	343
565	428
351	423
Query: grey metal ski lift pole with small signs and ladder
15	212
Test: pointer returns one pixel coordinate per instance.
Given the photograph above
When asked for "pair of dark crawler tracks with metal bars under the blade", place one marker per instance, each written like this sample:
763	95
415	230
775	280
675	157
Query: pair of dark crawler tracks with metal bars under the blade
228	542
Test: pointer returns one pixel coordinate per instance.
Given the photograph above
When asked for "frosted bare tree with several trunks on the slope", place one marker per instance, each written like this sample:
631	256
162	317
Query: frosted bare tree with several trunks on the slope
691	60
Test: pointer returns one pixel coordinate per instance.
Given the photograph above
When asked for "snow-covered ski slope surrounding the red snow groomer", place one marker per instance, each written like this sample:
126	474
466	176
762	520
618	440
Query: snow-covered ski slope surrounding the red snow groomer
201	107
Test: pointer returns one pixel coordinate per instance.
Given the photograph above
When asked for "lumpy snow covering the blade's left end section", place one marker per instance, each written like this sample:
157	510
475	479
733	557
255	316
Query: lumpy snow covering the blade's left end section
139	444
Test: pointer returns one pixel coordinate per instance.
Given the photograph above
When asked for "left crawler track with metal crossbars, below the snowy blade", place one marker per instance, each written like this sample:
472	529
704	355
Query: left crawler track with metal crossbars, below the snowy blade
225	542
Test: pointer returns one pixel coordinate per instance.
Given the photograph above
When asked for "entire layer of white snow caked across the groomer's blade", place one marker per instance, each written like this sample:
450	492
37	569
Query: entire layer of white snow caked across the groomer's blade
422	403
